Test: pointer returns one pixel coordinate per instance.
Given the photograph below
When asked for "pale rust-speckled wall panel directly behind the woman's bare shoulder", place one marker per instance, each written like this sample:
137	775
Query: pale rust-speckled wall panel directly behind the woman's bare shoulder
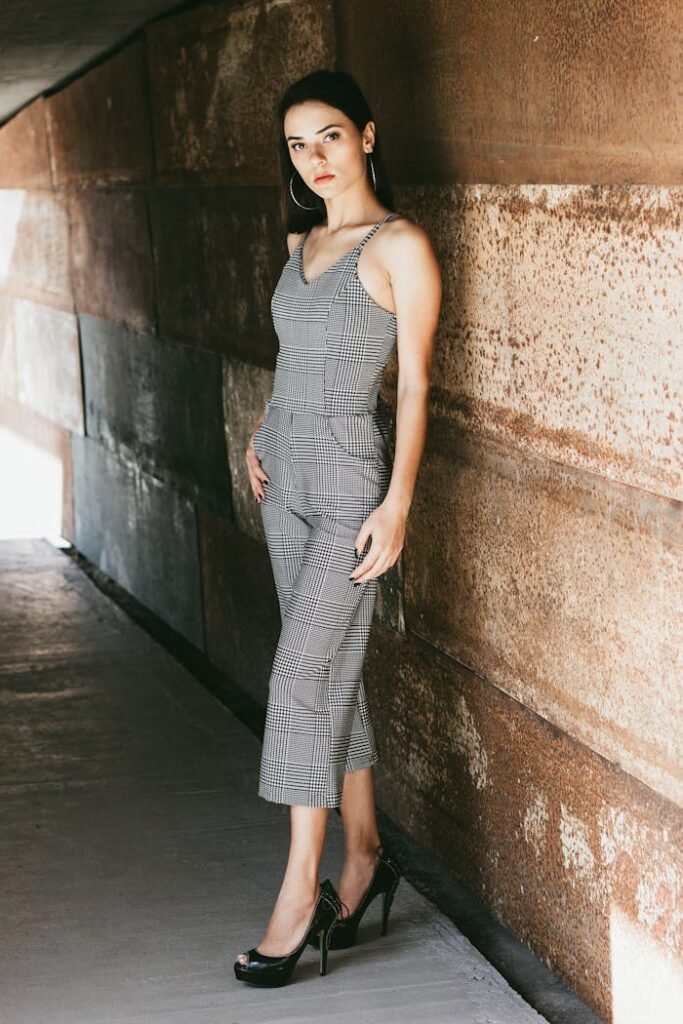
561	329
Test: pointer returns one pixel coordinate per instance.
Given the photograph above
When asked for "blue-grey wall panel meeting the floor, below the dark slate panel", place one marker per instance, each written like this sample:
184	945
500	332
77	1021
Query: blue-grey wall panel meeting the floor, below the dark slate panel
141	533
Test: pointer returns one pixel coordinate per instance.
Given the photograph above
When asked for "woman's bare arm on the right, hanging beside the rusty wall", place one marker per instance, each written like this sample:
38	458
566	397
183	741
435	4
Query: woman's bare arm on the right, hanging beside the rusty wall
416	283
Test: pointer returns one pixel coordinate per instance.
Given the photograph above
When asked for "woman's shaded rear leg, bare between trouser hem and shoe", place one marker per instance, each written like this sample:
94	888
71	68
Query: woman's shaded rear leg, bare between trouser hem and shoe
361	837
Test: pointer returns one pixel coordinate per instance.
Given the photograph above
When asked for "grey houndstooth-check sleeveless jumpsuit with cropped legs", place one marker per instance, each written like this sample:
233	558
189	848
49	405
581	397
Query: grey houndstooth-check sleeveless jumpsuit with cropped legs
325	445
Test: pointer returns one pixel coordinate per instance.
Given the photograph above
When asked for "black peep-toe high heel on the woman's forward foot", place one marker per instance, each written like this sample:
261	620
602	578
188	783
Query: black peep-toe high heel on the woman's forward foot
271	972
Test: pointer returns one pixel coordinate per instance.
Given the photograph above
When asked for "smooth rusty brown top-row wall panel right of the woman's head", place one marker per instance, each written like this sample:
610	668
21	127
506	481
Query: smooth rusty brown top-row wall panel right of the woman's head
535	91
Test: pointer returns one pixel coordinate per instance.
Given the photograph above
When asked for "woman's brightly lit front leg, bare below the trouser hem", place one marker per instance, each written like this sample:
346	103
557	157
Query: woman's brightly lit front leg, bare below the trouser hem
301	887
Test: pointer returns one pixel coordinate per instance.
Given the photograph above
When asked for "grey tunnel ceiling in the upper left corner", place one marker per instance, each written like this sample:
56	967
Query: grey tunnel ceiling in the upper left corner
44	44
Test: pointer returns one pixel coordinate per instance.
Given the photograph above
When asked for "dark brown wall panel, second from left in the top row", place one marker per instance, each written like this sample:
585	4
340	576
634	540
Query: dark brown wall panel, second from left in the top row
99	125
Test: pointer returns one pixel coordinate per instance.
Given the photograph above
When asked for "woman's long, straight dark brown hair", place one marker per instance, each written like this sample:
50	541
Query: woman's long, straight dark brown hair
338	90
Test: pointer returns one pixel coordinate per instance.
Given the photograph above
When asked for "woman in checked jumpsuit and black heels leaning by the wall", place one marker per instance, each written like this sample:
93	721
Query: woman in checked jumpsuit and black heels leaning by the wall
334	503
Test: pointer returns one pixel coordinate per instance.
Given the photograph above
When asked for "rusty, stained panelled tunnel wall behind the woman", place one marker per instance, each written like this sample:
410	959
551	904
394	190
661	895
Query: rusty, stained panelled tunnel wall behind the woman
525	667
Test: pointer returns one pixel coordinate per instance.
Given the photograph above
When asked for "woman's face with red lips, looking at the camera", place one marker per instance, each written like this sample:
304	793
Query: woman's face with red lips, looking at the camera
322	141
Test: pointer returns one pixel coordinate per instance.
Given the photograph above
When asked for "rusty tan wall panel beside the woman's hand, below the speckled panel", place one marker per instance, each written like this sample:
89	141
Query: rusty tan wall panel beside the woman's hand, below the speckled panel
563	589
